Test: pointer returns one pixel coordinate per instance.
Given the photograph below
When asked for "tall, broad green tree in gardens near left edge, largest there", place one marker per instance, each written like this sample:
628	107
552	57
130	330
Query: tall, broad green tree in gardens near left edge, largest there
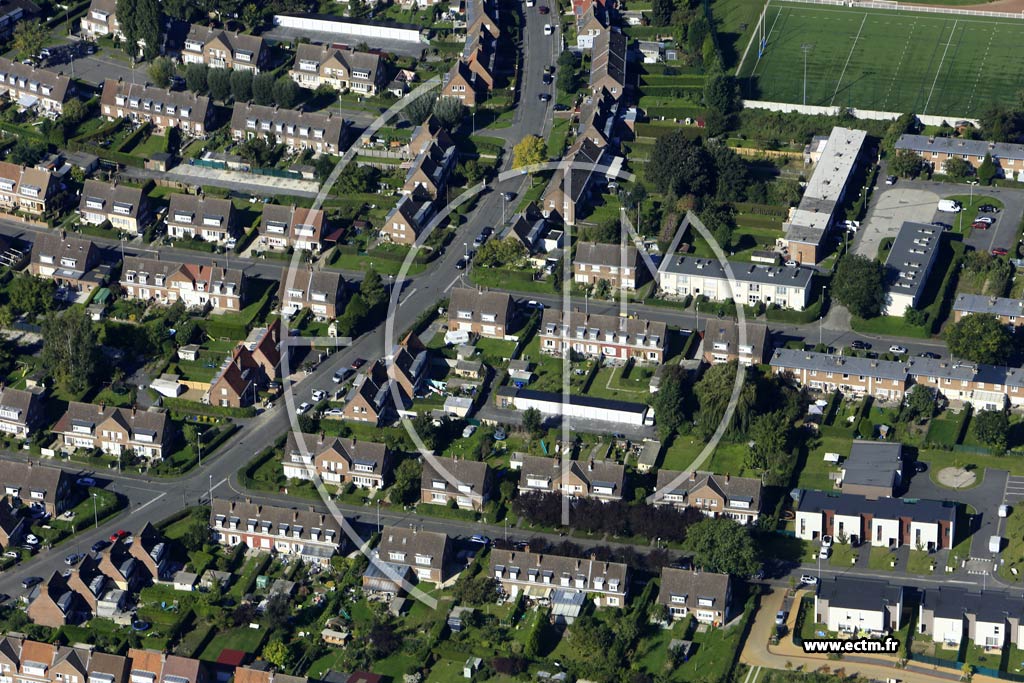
70	350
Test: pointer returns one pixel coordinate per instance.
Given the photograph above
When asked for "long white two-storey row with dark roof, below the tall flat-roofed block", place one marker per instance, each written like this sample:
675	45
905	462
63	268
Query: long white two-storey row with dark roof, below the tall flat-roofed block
746	284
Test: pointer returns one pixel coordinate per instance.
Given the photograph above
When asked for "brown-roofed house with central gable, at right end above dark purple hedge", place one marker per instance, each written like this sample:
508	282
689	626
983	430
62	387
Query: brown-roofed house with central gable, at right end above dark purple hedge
712	495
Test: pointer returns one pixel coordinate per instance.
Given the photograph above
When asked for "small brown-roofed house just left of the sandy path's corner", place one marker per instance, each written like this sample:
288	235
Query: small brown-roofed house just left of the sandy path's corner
706	596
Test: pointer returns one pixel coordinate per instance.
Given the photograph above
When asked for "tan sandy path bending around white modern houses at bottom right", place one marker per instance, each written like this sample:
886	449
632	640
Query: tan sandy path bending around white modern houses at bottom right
787	656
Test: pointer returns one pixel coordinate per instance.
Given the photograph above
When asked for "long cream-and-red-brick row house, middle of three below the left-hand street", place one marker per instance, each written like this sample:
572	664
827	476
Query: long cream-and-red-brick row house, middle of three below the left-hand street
198	286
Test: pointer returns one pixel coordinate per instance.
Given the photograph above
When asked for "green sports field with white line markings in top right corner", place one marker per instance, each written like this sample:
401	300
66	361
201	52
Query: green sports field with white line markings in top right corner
887	61
